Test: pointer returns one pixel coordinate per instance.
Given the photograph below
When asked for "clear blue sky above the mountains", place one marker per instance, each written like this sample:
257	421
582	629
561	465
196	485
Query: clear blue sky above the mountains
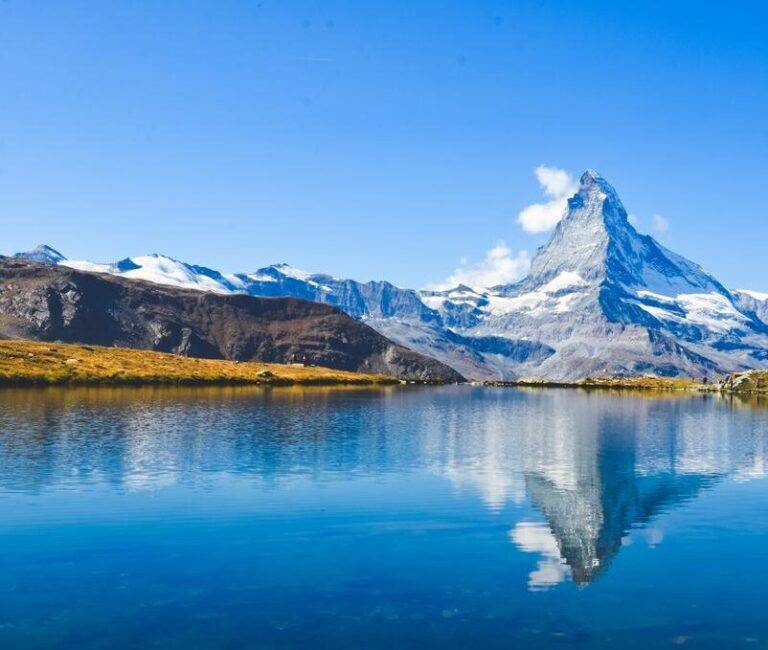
377	139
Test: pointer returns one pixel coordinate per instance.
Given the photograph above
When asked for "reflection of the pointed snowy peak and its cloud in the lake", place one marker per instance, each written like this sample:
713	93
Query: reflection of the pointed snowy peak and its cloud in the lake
597	467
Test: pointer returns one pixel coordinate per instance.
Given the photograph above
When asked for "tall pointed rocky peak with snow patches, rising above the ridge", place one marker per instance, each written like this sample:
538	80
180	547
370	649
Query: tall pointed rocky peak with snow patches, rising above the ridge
613	301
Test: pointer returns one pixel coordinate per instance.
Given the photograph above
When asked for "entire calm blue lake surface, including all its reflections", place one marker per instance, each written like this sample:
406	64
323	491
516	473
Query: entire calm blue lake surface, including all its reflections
399	517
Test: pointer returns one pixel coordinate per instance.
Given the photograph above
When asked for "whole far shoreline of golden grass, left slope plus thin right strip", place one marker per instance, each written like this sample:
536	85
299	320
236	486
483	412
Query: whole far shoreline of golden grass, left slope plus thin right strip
26	363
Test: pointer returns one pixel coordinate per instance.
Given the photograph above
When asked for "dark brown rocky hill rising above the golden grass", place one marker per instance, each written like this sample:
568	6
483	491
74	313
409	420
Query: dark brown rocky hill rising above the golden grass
55	303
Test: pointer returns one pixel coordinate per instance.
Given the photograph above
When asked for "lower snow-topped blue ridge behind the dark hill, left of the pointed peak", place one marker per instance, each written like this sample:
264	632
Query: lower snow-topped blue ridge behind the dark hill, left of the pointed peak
402	315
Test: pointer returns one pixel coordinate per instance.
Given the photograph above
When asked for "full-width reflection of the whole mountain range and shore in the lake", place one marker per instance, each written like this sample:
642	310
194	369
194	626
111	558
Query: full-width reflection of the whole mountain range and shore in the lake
595	467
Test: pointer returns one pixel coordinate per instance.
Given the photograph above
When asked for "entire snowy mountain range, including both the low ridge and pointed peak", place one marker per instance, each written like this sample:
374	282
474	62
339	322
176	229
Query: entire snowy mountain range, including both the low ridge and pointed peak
600	298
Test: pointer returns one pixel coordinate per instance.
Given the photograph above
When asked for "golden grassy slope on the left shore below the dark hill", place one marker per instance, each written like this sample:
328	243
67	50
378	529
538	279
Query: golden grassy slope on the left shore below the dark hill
28	362
